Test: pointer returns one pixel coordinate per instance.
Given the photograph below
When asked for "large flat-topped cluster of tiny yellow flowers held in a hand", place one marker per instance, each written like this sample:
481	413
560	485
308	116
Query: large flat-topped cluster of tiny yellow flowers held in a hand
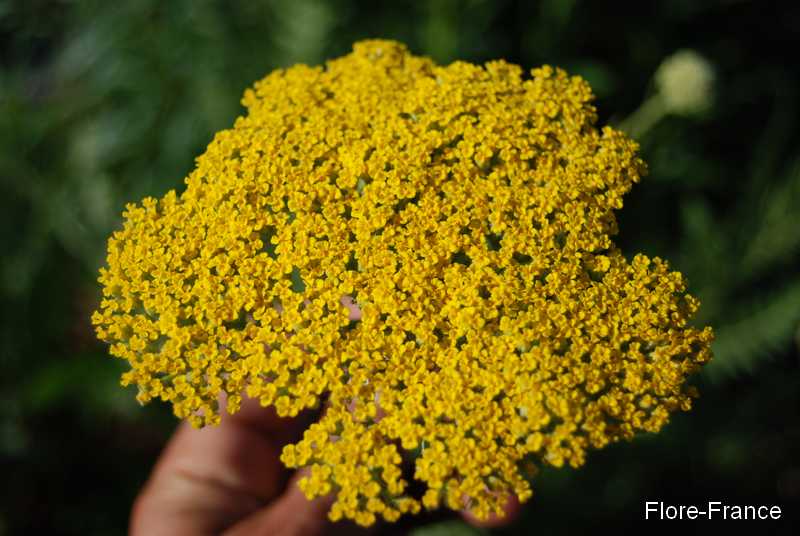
467	211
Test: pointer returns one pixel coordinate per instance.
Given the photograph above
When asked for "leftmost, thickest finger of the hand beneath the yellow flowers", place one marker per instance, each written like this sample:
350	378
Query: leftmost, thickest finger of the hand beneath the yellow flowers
207	479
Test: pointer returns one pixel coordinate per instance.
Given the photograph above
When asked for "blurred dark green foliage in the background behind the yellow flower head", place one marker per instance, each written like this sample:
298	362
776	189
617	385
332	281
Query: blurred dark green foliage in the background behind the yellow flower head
102	103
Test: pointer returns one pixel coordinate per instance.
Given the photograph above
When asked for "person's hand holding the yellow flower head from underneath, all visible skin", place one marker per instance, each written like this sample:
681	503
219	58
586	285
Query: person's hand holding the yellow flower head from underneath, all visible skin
229	480
